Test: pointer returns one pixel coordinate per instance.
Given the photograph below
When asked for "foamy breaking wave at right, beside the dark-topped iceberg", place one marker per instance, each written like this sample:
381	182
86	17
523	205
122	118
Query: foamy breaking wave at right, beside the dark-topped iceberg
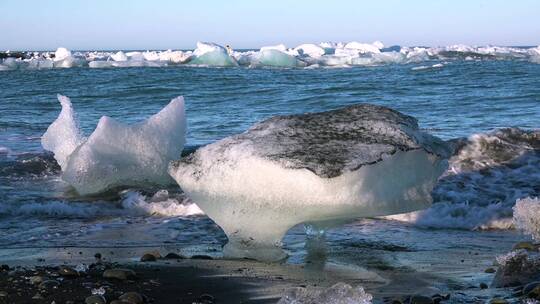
487	174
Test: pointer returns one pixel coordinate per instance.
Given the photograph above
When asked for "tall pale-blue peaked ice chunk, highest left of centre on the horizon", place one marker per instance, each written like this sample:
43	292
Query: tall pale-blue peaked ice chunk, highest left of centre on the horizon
211	54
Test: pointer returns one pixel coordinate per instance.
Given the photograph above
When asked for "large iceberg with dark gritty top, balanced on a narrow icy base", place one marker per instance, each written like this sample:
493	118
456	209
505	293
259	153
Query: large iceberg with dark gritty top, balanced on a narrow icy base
321	169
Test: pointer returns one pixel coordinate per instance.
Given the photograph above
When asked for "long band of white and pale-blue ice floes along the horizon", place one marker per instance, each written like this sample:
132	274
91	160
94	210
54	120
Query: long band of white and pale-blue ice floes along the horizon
208	54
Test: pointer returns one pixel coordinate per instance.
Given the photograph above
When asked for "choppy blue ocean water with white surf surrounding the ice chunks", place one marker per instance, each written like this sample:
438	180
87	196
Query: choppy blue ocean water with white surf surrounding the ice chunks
488	105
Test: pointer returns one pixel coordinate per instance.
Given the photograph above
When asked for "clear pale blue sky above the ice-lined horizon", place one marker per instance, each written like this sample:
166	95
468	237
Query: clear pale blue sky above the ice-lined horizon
100	24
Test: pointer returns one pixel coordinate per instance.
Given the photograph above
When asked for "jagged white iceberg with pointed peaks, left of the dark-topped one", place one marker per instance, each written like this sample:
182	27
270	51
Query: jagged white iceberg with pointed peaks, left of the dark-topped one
116	154
